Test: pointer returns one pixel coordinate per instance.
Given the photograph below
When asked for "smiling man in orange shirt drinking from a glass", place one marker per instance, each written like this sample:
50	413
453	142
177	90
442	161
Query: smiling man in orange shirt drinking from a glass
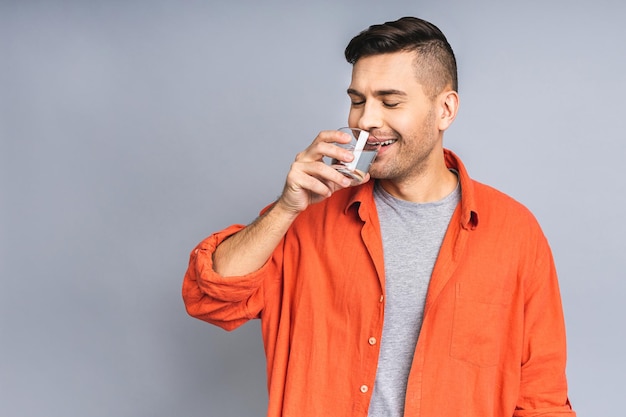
420	293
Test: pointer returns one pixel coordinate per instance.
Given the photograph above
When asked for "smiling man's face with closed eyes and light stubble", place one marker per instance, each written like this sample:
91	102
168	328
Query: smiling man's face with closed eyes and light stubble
388	100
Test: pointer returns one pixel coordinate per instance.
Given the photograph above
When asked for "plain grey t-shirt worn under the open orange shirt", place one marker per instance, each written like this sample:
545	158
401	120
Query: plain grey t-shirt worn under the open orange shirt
412	234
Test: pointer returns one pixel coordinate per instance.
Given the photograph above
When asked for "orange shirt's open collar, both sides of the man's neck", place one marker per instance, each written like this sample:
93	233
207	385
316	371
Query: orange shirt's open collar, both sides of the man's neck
469	213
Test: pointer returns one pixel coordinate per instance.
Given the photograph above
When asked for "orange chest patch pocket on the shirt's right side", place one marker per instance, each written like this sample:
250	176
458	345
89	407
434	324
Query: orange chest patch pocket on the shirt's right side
479	327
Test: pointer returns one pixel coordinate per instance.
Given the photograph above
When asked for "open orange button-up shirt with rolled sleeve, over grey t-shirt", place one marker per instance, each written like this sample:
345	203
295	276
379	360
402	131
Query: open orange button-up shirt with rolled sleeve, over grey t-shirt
492	341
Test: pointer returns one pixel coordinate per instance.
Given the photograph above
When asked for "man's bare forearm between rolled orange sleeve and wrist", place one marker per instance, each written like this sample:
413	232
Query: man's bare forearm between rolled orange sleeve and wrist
249	249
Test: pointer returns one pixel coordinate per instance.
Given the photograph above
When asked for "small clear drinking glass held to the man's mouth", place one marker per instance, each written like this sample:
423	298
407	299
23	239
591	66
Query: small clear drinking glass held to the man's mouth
364	151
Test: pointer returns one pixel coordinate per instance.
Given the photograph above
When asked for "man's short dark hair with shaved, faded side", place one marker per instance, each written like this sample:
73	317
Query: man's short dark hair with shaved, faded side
435	62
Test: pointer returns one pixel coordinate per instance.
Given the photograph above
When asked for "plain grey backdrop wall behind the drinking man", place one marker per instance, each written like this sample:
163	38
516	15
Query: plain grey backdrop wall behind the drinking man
131	130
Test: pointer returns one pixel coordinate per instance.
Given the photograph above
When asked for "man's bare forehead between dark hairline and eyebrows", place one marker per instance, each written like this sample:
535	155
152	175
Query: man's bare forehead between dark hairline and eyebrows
385	71
